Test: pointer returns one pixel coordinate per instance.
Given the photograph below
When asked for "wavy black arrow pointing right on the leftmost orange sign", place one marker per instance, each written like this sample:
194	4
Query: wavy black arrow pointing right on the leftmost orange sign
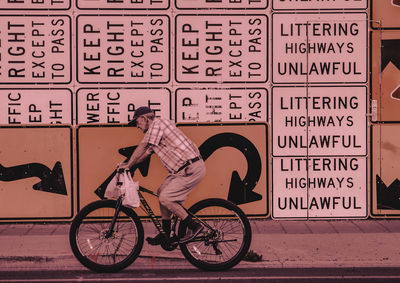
52	181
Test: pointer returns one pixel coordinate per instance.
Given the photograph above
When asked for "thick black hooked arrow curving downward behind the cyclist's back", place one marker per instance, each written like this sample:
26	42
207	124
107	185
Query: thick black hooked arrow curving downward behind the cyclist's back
240	191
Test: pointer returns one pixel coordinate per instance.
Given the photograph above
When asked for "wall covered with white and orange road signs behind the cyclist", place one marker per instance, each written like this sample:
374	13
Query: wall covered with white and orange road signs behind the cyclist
303	67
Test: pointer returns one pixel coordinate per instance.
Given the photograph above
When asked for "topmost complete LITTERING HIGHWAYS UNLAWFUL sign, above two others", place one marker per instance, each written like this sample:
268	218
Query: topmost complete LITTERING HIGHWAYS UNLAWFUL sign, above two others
319	48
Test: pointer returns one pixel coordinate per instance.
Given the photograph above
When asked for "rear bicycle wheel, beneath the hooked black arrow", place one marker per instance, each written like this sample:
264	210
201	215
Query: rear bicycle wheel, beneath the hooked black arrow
232	226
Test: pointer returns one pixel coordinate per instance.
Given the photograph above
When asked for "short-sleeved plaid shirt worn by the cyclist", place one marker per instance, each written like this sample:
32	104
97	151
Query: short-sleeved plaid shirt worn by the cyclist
170	144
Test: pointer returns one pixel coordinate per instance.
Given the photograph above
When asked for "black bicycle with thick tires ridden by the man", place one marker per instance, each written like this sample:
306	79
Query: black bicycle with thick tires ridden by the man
106	236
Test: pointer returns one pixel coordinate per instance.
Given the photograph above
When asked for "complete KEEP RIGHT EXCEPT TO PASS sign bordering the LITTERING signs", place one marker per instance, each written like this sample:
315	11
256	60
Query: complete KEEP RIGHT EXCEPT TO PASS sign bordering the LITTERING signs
221	48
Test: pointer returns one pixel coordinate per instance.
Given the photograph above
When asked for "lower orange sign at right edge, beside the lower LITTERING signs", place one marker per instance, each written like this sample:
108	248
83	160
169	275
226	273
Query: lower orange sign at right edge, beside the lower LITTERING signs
385	196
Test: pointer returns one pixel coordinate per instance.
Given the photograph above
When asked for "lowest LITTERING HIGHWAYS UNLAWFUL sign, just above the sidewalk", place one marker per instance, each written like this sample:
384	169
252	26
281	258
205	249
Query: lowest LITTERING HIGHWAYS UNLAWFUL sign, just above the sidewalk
319	187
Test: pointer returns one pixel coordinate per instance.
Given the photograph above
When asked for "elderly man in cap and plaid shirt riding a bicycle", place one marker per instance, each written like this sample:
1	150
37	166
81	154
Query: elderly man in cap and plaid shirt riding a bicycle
180	156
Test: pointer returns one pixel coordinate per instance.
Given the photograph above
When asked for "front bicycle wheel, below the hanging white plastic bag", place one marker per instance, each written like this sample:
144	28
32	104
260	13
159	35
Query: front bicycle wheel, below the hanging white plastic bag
101	253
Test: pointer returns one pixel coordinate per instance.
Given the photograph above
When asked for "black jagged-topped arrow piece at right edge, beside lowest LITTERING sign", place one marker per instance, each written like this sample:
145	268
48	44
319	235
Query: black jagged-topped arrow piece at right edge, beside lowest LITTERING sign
388	197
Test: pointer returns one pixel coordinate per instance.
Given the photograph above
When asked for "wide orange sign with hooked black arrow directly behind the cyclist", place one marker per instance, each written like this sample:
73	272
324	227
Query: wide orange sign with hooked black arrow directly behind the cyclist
236	157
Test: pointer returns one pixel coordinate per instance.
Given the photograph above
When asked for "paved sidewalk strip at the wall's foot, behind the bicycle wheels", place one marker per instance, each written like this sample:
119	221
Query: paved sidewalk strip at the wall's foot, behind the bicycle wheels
296	244
